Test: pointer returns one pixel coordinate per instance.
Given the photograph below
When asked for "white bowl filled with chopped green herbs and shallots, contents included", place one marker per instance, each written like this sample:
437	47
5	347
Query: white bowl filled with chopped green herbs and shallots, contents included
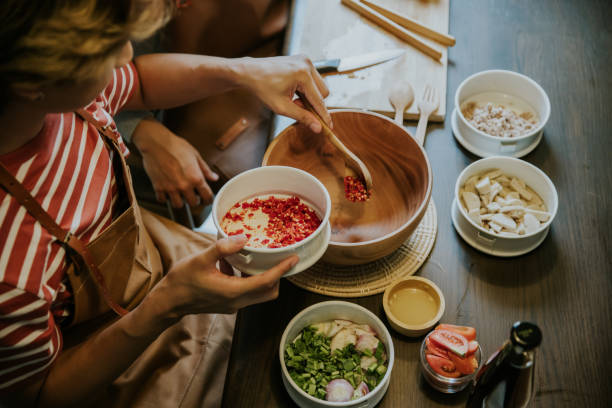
336	354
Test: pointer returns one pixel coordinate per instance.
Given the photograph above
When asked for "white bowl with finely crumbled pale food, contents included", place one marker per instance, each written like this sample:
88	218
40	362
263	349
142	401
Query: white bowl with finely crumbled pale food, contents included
499	113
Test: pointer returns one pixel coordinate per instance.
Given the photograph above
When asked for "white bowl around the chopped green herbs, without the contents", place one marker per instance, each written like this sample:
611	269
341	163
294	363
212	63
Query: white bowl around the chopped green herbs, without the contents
325	311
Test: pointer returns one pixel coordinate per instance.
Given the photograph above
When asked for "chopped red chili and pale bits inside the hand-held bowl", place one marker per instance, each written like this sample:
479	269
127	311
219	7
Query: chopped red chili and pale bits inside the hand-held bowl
271	221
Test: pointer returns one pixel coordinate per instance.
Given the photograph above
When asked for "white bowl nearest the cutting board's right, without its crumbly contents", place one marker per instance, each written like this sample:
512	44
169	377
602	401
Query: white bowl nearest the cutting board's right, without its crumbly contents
512	85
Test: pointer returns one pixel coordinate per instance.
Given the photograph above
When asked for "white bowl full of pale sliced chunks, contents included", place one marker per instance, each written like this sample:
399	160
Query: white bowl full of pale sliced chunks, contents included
504	206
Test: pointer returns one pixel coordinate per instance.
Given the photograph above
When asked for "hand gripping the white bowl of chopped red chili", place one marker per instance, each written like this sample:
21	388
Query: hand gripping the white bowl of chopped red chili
195	285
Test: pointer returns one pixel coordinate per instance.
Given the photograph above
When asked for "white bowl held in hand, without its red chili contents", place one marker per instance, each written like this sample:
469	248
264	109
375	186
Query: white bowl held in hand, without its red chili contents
280	180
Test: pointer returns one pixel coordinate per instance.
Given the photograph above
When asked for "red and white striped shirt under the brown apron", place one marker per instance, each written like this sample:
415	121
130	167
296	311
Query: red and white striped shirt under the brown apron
68	170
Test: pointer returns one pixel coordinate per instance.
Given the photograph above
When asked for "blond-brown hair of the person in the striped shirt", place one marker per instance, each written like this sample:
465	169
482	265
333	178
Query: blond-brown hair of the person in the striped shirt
47	42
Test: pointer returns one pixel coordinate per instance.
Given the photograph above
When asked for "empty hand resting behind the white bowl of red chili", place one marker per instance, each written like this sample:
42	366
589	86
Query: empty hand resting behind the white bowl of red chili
176	169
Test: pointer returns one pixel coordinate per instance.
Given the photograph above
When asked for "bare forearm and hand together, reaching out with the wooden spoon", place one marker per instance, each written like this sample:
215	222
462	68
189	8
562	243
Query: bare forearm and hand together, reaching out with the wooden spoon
169	80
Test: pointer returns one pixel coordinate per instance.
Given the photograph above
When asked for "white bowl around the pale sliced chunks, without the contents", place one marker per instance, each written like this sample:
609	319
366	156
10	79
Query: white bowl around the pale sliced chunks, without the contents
488	242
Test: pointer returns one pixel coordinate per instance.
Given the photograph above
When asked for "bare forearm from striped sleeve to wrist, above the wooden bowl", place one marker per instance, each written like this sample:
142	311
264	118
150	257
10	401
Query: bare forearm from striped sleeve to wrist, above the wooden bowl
170	80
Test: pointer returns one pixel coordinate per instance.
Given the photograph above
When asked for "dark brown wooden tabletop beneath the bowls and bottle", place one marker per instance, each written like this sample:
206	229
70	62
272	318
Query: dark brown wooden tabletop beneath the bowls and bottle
564	285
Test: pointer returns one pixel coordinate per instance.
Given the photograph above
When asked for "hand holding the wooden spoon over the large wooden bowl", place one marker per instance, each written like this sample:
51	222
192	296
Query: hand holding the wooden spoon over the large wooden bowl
275	81
